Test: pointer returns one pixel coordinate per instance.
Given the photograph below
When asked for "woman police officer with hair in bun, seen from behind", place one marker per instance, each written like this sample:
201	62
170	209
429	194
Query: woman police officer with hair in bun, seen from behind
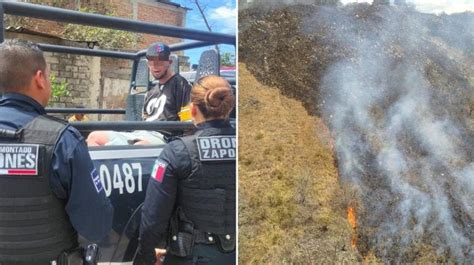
189	207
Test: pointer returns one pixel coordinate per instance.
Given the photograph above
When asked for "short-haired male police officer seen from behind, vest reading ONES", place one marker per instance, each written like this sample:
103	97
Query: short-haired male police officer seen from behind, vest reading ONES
49	188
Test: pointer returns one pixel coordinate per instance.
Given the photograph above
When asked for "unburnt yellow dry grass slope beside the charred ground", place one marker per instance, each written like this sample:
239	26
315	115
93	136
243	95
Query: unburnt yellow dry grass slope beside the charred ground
291	207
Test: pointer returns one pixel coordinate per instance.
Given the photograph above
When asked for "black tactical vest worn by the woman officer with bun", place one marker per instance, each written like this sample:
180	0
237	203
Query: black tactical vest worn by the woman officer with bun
207	196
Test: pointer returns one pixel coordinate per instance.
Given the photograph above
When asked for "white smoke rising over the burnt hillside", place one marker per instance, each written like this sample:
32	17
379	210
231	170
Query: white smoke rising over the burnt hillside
407	154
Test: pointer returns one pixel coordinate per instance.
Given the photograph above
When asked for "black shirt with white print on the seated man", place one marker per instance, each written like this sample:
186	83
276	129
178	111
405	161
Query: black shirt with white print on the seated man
164	101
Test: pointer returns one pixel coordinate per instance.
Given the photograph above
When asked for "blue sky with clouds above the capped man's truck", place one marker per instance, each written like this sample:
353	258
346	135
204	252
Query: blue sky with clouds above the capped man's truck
222	17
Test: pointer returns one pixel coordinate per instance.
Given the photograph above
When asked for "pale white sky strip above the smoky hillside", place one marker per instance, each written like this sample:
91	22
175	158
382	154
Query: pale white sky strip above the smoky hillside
434	6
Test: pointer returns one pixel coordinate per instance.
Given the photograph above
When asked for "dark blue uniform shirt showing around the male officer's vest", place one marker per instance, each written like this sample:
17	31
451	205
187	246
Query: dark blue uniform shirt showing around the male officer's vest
89	211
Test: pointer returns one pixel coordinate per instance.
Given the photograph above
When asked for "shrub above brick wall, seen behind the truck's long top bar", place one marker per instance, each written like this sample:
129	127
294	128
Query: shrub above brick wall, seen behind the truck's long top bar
107	38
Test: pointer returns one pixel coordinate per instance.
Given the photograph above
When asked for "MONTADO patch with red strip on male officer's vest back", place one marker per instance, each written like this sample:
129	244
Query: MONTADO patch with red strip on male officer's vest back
19	159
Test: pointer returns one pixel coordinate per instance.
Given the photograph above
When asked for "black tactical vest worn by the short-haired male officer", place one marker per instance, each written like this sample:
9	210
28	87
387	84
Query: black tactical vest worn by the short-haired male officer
34	227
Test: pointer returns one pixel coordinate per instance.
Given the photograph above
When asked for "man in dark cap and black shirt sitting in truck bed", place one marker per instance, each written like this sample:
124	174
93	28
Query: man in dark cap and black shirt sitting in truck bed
162	102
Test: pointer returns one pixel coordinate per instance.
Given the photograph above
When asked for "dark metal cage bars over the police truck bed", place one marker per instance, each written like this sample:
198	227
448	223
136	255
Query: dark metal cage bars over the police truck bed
199	39
